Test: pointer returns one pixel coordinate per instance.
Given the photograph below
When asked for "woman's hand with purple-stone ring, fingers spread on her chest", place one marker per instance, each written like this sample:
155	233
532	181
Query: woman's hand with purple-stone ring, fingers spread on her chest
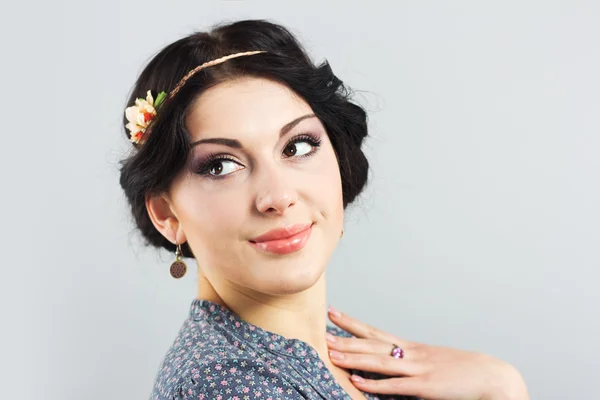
428	372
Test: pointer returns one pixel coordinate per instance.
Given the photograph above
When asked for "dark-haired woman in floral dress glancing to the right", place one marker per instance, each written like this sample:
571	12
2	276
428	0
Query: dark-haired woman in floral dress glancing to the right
245	156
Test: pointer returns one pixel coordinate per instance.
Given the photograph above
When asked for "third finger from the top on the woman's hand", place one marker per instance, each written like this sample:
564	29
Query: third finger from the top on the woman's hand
381	364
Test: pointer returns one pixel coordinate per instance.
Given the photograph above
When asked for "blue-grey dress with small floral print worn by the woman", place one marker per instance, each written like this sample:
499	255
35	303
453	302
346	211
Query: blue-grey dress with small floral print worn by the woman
218	356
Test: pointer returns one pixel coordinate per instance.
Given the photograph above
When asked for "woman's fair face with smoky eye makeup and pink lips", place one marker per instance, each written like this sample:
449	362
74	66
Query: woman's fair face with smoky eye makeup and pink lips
260	201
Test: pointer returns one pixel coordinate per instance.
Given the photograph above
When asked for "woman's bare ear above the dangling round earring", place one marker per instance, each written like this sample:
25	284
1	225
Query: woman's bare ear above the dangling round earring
164	218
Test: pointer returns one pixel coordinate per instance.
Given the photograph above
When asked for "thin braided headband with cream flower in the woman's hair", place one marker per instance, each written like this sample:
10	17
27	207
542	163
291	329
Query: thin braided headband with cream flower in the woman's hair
144	110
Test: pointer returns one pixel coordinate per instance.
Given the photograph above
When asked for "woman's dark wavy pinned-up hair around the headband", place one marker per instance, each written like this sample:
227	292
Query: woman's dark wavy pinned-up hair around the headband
152	166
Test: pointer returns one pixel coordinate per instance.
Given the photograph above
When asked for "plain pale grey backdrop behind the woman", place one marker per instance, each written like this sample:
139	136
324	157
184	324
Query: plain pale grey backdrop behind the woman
479	229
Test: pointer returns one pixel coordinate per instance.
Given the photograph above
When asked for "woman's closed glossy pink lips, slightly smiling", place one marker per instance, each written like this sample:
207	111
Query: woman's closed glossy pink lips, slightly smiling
284	240
